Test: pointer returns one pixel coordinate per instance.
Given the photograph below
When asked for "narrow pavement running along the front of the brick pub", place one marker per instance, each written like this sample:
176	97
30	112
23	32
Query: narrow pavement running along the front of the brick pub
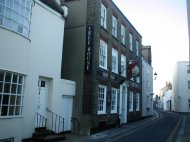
112	132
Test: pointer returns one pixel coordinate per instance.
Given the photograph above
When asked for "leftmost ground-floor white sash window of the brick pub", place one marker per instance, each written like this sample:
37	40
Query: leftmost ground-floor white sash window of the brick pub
102	97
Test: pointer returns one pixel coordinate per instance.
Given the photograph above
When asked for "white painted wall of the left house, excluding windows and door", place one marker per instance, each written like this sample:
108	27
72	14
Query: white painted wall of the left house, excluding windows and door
38	56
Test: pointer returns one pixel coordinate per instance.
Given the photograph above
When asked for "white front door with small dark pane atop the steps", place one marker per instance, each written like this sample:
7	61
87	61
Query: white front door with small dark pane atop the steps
42	97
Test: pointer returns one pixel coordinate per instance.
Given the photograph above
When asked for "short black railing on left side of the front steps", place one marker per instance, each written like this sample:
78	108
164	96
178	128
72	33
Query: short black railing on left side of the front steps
41	121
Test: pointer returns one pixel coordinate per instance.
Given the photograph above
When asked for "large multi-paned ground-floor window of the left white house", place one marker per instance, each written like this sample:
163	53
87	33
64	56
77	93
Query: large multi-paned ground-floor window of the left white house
11	93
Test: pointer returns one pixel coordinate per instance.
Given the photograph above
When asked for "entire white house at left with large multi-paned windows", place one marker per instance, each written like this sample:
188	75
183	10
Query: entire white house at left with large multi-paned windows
31	45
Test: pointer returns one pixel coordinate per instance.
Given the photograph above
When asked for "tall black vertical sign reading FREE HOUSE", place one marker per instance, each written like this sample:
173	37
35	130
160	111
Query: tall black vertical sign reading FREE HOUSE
89	46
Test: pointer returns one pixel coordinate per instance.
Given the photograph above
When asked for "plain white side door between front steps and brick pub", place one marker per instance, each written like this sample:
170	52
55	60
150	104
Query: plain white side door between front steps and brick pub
67	107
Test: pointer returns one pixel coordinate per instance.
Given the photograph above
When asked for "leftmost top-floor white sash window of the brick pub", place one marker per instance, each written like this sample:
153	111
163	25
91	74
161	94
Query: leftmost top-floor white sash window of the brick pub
103	16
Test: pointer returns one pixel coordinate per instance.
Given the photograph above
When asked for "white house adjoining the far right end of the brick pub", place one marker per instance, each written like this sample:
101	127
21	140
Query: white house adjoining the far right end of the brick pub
147	89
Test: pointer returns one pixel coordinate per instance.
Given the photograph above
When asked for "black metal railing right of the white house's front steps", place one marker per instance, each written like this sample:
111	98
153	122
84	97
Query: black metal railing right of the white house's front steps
56	121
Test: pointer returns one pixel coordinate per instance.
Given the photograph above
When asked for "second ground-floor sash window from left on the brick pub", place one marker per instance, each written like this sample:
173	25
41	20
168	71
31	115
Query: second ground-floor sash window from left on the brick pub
114	100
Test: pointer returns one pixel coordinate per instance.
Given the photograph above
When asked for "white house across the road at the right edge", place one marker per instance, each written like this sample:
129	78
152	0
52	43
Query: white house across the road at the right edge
181	87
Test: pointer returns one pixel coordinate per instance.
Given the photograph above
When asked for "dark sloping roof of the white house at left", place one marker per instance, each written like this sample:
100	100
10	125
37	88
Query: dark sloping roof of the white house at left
54	5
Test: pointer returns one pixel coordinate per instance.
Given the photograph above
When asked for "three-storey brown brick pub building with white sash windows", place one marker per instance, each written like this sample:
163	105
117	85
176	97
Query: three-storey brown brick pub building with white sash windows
100	44
